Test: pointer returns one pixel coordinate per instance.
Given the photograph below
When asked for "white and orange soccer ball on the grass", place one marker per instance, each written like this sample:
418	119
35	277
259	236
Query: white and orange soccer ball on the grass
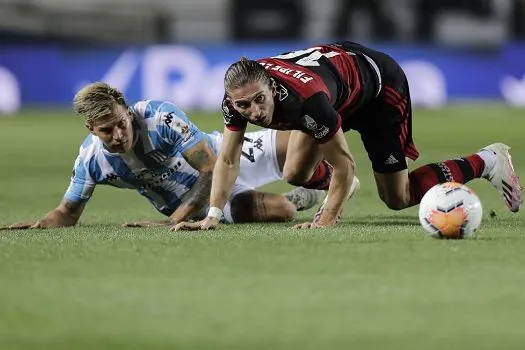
450	210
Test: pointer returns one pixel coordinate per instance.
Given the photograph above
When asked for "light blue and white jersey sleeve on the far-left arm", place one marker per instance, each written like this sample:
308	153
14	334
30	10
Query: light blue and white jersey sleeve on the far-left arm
81	185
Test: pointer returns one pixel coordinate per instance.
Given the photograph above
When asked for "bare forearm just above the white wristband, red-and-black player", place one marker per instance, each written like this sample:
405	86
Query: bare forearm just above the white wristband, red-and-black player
224	176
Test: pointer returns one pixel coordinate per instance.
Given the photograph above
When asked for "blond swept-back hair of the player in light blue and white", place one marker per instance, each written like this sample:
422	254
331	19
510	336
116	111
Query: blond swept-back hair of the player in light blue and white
95	101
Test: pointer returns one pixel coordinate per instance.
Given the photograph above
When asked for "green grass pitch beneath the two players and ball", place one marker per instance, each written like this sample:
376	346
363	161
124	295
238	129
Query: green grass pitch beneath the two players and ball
374	282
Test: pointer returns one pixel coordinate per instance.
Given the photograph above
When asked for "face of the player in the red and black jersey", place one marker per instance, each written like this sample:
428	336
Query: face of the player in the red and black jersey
254	101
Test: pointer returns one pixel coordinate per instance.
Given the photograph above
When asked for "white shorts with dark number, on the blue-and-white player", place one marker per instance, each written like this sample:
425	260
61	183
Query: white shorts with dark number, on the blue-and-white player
259	165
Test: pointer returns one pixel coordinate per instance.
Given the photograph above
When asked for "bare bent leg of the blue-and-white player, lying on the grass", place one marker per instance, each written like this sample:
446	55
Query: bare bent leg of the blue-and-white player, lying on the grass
256	206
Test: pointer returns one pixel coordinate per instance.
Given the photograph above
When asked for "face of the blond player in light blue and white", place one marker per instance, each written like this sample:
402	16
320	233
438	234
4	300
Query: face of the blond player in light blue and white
116	131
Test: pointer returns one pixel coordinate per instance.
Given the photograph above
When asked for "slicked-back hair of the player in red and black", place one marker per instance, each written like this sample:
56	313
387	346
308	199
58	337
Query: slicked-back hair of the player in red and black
243	72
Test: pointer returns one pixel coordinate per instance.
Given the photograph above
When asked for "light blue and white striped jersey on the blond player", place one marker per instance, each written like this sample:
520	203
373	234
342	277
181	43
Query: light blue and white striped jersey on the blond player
154	166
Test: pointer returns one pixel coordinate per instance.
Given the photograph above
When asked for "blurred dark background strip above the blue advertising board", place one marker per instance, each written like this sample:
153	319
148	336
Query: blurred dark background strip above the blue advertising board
448	22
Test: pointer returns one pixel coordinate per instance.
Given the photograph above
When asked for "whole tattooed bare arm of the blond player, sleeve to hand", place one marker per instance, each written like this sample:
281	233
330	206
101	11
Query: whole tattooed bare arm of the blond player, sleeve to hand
202	158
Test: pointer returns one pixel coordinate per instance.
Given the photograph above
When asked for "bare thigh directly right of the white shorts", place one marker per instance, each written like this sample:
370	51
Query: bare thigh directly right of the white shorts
302	157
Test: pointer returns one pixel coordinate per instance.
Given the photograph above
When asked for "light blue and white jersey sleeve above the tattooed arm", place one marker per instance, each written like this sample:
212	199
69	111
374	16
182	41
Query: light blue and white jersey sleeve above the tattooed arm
175	127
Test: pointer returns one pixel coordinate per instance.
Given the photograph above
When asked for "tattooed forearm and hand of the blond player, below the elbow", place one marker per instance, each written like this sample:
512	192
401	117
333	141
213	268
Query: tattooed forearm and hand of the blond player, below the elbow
196	199
